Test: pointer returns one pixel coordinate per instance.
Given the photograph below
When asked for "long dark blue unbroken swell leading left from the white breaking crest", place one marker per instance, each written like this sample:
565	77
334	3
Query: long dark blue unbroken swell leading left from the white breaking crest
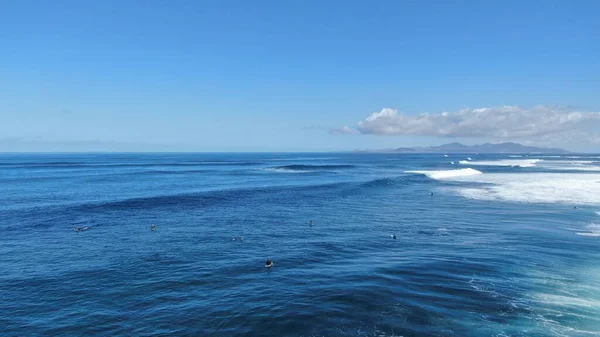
44	216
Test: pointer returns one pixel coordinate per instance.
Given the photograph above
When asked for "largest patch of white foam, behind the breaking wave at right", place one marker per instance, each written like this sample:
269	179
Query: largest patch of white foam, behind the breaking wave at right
568	188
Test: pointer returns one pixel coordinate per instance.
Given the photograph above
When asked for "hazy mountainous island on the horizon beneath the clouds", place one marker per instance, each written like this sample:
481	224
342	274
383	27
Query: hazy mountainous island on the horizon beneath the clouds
507	147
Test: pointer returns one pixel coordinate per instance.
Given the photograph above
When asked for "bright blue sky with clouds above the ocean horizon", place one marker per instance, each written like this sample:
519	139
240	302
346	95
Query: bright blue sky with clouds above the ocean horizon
286	75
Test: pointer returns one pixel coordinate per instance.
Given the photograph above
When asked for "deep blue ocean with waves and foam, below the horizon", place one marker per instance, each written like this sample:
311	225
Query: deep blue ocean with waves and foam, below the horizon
490	245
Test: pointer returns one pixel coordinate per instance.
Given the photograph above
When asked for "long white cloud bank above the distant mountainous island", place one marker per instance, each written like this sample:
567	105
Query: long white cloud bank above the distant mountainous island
541	123
